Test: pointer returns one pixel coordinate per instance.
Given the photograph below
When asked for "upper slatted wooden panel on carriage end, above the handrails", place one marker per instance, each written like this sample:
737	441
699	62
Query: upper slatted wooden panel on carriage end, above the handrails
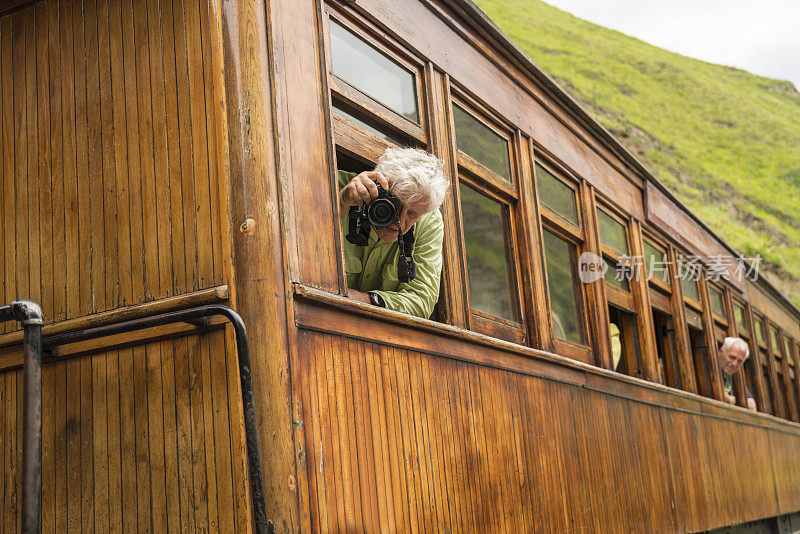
109	141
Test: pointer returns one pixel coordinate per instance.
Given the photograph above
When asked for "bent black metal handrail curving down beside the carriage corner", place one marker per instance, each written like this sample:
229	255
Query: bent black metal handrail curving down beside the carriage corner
192	316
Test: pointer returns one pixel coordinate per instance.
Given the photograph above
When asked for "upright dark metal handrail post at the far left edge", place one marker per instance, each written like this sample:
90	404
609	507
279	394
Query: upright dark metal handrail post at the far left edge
29	314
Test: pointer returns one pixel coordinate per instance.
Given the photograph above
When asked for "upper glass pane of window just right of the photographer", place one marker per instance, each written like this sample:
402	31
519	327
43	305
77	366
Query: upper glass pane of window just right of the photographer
481	142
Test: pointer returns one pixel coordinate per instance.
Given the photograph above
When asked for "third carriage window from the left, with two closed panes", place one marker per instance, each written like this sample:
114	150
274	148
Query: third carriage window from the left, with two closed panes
563	240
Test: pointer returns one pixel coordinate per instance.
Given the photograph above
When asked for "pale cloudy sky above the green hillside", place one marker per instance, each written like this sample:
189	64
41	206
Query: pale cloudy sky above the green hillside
759	36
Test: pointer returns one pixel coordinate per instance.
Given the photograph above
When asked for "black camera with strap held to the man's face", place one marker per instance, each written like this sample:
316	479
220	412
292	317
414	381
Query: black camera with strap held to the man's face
382	212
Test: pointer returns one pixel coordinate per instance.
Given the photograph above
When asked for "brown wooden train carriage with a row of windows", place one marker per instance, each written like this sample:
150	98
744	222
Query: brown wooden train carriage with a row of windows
160	154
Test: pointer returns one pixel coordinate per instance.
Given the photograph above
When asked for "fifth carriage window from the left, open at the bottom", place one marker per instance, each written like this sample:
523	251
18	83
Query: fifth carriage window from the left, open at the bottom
659	272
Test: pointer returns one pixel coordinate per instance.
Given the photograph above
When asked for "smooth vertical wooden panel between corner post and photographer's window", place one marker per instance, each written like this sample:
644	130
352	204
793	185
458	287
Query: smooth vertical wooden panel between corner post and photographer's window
303	118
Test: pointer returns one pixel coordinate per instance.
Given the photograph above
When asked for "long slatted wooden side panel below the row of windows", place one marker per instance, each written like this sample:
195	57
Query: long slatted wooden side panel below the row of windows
403	440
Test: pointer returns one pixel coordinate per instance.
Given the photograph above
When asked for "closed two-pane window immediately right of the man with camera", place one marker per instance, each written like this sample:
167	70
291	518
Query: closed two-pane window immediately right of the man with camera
488	198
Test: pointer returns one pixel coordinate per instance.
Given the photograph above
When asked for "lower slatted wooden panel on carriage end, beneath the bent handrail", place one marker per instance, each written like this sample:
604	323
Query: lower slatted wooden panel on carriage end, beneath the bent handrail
145	437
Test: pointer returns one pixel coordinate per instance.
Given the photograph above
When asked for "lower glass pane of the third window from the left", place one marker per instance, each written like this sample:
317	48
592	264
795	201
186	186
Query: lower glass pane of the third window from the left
562	283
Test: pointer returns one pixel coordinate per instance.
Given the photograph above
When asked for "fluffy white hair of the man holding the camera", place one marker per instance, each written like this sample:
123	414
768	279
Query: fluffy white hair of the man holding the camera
413	175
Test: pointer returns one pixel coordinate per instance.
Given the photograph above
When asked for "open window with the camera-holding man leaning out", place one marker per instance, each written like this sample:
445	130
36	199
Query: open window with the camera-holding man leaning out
376	95
